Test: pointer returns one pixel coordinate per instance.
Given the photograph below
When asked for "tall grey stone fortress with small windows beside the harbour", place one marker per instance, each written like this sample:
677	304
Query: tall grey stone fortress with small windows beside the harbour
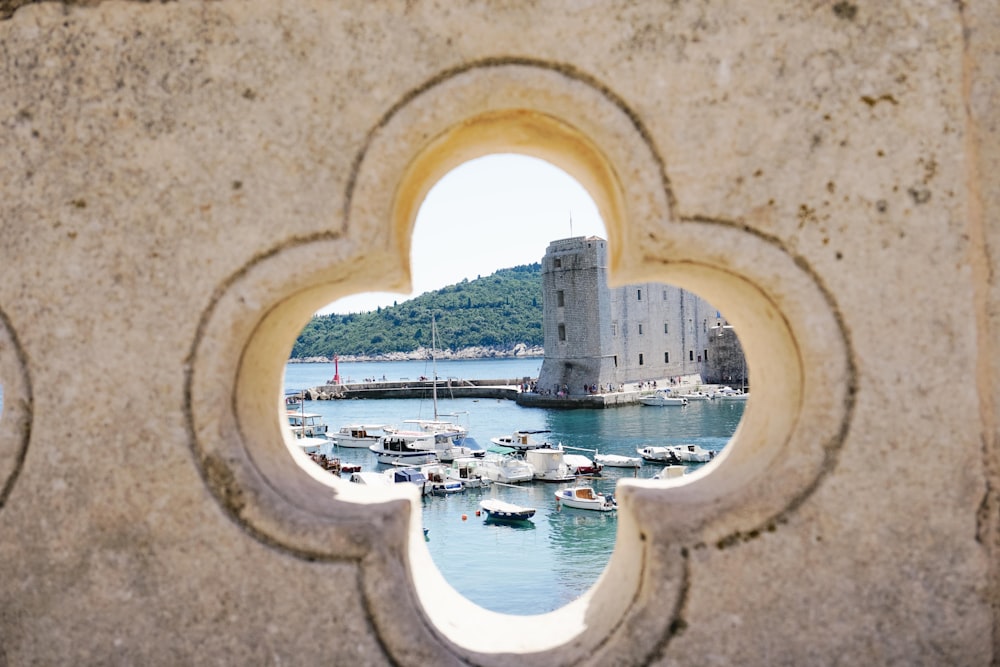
603	336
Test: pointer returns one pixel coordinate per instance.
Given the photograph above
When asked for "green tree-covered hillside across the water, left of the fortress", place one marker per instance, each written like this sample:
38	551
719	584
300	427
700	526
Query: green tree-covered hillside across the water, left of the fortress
498	311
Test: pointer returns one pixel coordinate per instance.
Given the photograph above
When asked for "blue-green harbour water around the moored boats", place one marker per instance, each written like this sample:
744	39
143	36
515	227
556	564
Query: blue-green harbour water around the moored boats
546	563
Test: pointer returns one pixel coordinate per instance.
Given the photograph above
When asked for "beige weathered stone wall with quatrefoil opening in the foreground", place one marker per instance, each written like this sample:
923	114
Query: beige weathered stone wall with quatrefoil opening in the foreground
183	184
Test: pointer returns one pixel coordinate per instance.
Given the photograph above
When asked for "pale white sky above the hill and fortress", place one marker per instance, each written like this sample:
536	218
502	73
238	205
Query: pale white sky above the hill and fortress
491	213
